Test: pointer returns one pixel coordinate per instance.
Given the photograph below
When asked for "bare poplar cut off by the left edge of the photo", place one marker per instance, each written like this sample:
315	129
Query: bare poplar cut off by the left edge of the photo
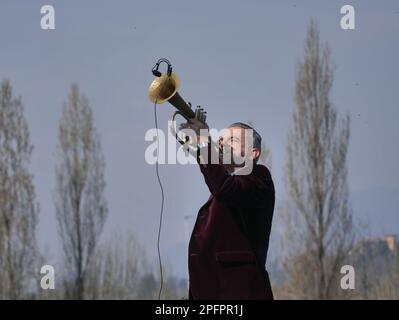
18	210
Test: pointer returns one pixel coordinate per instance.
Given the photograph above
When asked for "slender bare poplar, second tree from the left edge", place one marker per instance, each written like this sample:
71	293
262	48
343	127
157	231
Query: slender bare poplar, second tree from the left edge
81	207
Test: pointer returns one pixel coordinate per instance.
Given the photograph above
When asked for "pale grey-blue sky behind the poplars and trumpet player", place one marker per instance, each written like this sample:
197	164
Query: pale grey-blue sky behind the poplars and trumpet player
237	59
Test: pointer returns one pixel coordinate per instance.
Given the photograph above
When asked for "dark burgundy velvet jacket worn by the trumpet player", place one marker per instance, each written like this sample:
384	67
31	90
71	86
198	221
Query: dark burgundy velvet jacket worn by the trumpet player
230	239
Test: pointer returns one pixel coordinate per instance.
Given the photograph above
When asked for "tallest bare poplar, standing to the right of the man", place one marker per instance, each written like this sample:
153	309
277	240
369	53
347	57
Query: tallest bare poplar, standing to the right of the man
316	181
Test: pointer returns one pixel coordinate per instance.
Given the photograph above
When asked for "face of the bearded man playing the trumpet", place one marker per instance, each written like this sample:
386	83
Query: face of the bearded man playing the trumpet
237	144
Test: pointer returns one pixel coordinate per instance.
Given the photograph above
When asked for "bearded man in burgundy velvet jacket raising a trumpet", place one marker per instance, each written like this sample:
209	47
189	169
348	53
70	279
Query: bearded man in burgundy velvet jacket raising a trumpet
230	239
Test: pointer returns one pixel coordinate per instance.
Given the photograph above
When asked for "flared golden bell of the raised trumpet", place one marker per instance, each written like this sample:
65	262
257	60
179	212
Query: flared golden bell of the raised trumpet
163	88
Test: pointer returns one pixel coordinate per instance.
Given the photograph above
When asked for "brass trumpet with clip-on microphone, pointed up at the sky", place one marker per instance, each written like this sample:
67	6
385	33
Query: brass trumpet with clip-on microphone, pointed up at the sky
164	88
